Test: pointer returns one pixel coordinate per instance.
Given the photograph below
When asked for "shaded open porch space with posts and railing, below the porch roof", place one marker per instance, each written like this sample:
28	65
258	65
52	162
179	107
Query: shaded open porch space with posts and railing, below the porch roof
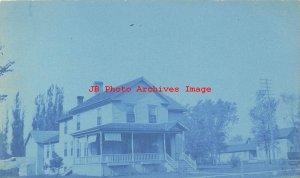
123	147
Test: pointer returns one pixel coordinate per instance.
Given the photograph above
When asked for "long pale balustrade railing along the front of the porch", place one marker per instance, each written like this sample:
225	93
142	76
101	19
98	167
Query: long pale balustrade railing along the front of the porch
119	158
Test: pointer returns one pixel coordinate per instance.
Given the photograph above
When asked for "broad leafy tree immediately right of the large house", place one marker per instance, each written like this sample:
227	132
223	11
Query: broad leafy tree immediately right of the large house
209	122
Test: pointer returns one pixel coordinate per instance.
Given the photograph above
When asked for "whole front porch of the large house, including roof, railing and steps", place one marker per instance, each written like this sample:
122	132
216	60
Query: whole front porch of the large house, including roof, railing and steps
136	147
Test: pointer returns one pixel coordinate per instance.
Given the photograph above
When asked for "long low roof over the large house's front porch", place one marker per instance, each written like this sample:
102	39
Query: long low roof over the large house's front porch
135	127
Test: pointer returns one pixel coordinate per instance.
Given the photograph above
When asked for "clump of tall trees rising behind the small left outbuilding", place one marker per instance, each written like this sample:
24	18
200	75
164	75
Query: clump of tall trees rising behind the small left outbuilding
47	113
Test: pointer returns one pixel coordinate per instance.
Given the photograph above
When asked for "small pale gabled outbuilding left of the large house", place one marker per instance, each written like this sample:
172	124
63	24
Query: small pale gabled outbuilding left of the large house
39	148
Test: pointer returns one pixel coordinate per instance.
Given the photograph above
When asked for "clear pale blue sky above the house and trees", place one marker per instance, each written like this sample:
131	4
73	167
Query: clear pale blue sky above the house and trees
228	46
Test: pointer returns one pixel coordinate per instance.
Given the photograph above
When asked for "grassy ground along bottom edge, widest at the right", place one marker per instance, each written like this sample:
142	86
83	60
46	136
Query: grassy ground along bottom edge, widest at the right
247	171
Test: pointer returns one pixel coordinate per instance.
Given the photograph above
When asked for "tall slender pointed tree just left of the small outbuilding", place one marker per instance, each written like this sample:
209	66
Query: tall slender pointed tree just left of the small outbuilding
17	144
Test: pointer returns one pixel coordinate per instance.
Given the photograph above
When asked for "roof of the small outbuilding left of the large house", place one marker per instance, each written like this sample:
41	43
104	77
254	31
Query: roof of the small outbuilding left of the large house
44	137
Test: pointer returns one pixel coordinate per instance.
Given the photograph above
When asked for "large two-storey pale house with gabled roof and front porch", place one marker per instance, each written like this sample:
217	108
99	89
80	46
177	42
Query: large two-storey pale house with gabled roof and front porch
115	133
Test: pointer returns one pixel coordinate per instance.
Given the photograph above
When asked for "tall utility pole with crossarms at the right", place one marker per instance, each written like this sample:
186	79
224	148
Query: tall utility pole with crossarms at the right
271	124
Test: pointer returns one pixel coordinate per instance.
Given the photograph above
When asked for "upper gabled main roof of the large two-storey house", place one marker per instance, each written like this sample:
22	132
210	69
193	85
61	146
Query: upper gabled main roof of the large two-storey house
103	98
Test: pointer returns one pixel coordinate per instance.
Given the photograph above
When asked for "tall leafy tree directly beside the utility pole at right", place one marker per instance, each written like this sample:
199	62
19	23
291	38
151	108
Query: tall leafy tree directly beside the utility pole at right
262	117
